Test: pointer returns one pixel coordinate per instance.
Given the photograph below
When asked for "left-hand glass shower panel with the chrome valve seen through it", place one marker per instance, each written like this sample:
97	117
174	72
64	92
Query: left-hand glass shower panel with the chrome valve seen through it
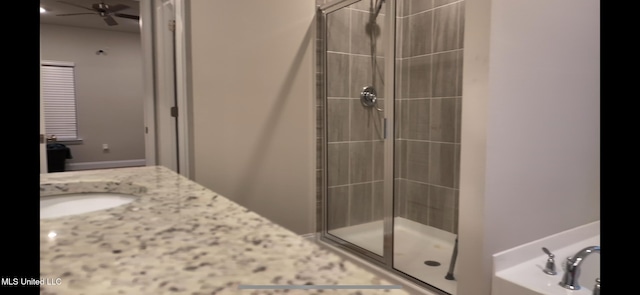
355	126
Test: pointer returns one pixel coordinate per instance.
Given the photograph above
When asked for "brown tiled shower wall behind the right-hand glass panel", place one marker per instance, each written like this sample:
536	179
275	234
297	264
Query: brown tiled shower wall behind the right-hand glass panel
428	99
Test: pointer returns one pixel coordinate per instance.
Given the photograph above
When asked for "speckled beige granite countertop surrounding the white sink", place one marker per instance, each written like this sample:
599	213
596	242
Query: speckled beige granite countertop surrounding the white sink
178	237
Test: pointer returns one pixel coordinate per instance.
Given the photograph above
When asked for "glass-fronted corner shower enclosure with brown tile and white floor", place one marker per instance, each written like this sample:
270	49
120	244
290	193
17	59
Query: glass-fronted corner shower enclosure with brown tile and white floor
389	97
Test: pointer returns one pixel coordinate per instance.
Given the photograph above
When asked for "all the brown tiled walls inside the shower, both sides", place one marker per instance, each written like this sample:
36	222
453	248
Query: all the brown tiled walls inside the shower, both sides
428	94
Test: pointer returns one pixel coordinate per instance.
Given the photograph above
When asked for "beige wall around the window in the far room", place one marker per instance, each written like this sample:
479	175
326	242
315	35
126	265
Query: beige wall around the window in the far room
108	90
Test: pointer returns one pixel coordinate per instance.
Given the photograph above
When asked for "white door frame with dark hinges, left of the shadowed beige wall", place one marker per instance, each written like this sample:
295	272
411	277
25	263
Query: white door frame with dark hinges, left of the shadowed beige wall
156	131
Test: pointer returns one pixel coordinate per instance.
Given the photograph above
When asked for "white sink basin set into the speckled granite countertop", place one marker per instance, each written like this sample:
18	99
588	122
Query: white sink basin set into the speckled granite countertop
77	203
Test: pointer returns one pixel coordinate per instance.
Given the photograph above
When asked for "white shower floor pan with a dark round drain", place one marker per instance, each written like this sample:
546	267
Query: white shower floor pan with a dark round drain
414	244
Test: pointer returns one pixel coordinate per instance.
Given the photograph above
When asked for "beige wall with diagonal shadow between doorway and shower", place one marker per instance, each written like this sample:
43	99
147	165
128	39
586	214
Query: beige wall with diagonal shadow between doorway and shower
253	105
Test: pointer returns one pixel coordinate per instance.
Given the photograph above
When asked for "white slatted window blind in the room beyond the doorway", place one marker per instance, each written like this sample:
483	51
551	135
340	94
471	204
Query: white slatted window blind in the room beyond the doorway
58	93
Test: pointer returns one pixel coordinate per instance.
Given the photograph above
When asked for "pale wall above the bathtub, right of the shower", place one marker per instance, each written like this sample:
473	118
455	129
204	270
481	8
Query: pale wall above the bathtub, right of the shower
530	127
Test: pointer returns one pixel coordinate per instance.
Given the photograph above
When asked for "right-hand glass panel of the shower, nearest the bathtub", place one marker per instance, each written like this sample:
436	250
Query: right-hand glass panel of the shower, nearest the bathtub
427	141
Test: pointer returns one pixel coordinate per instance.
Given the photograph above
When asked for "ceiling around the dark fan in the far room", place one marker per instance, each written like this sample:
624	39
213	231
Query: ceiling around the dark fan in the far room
93	21
